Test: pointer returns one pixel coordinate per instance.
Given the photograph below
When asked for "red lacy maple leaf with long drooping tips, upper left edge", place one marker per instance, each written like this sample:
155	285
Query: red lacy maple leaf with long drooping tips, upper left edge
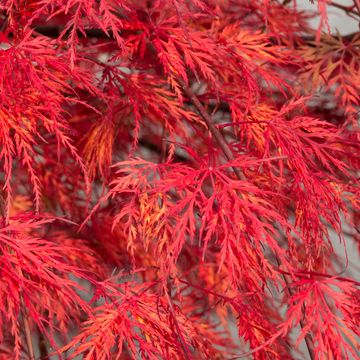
43	81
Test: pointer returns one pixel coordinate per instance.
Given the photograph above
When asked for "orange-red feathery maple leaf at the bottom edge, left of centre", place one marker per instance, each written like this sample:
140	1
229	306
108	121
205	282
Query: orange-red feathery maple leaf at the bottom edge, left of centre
139	323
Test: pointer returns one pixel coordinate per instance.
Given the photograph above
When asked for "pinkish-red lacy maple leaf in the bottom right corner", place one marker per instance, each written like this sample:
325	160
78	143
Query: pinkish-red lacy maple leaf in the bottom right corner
327	303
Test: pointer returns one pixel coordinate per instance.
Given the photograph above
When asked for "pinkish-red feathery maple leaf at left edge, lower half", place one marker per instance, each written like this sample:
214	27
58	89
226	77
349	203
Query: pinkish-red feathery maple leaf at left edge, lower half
36	274
